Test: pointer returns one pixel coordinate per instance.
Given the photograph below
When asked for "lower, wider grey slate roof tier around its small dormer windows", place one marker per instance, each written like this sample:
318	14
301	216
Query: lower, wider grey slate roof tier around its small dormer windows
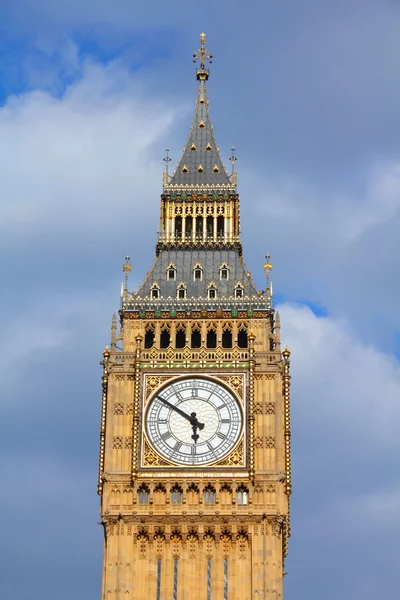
211	261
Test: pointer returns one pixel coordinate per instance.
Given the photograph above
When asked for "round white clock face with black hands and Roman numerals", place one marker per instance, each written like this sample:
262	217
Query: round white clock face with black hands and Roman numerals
193	421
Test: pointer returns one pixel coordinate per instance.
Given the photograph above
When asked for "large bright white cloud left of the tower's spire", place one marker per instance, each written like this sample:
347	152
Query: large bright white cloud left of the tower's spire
82	162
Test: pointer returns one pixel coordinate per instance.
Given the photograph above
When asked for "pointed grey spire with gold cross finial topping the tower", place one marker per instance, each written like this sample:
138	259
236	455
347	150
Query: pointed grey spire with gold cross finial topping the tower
200	163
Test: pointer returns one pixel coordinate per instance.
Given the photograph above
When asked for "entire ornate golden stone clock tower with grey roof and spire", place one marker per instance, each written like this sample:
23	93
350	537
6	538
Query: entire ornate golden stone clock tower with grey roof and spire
194	468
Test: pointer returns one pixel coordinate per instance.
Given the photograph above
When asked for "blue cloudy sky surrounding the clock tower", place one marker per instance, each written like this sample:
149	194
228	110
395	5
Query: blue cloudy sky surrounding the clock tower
91	94
